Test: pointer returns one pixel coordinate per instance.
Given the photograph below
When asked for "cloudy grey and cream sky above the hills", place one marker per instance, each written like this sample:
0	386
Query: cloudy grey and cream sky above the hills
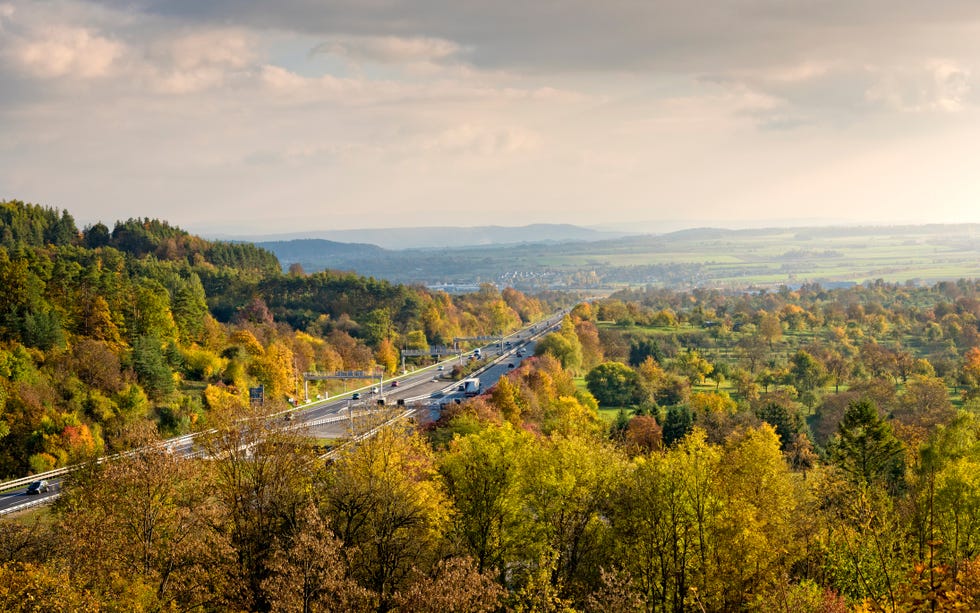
251	117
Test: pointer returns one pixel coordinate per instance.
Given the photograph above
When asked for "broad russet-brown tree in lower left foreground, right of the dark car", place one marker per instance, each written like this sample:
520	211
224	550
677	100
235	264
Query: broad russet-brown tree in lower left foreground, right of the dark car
147	516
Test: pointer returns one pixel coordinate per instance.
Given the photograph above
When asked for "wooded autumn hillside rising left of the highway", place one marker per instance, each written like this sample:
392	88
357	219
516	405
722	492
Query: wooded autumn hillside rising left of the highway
102	329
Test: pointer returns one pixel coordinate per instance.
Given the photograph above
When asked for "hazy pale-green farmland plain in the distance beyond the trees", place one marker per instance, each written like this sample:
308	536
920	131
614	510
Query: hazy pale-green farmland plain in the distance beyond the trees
691	258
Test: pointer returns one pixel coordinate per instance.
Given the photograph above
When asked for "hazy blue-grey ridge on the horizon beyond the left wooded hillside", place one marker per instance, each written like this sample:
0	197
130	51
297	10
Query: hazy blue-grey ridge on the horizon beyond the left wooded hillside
441	237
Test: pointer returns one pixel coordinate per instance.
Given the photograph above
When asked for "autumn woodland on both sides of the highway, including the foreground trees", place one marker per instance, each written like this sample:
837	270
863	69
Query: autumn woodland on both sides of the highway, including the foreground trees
808	450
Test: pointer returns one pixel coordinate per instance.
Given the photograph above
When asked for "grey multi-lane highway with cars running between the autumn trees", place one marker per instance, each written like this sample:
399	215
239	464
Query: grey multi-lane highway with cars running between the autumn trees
329	418
